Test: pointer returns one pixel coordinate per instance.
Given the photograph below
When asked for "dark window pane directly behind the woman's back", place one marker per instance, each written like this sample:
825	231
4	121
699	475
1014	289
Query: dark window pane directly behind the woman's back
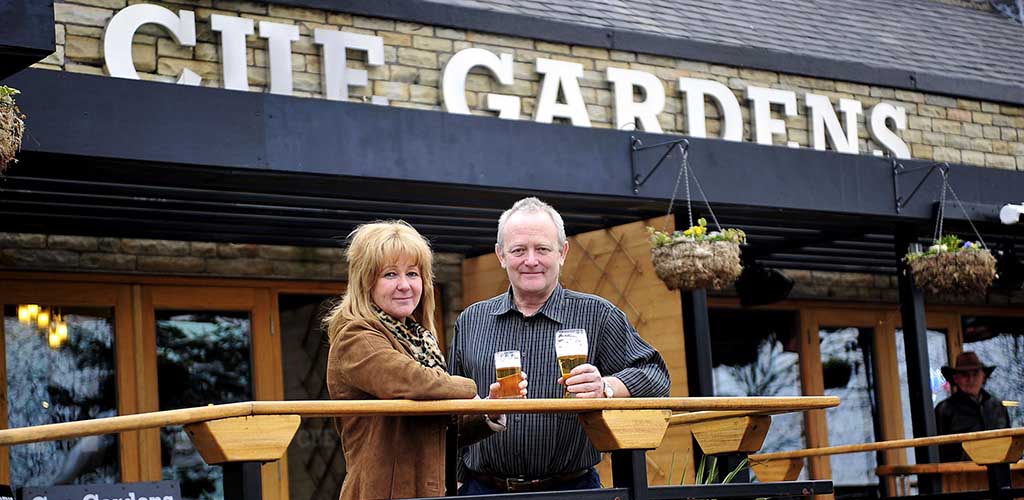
316	464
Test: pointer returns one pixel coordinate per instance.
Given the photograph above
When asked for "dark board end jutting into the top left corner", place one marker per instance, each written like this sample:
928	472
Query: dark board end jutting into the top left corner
28	34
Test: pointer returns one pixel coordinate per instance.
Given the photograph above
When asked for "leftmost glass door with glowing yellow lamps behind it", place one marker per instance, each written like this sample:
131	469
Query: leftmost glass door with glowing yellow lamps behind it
67	357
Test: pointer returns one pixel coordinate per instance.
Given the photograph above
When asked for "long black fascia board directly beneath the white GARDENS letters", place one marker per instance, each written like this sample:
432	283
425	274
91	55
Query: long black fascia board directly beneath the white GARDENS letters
106	118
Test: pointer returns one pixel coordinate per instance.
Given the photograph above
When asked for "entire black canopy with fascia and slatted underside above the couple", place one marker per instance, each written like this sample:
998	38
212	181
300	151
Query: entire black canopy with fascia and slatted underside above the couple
153	160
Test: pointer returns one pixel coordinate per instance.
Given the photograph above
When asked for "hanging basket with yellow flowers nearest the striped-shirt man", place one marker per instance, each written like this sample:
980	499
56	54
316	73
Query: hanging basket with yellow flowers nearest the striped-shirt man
697	259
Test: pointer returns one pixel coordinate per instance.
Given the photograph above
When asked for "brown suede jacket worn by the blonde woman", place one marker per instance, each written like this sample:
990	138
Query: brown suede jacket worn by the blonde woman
391	457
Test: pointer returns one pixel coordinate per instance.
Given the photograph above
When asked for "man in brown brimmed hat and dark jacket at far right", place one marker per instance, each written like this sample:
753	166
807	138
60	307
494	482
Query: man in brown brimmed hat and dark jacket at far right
970	408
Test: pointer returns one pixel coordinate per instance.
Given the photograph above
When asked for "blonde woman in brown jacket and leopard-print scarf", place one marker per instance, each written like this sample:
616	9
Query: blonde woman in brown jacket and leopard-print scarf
382	348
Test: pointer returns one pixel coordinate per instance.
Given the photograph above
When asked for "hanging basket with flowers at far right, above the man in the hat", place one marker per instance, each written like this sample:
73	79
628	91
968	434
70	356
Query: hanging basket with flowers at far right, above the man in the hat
953	267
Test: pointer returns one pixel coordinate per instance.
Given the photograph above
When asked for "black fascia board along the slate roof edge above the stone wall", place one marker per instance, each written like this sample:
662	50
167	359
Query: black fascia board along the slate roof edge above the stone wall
744	57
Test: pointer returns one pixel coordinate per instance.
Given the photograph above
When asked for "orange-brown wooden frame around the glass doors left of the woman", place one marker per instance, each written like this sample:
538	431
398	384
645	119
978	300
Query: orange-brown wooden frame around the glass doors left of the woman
134	302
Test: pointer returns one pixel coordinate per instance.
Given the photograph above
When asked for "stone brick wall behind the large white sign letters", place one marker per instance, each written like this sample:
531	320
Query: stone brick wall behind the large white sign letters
941	129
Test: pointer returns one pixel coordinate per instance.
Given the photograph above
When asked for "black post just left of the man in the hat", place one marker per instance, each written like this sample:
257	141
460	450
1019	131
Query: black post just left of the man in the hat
912	304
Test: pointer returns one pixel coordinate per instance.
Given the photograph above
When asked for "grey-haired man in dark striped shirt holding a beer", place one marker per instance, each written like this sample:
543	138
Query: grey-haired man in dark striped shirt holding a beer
549	452
